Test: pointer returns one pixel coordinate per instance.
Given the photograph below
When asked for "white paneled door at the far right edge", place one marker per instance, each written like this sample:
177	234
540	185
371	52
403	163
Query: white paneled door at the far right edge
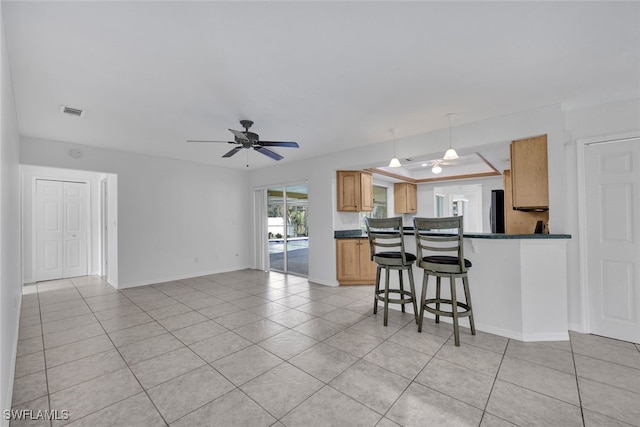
613	238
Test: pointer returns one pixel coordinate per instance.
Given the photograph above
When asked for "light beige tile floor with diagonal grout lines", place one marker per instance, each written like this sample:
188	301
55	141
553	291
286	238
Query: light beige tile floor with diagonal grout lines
249	348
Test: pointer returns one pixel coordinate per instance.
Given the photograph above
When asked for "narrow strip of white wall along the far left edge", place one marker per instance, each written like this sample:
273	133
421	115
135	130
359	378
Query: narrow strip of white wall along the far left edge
10	280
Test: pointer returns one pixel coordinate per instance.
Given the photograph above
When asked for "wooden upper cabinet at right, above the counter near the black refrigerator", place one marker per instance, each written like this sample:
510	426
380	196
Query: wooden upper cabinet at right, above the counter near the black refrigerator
529	173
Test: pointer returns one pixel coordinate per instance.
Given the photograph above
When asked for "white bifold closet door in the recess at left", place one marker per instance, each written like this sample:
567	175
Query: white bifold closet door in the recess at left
61	229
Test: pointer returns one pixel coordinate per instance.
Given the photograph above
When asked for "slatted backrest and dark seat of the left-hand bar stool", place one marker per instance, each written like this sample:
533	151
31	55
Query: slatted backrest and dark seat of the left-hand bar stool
386	236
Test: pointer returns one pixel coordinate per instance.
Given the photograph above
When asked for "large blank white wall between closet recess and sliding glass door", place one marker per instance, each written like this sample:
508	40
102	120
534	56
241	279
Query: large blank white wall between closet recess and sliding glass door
176	219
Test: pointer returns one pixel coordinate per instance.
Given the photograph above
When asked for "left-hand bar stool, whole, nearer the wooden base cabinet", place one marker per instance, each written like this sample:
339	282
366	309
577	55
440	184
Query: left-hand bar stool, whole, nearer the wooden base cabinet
386	243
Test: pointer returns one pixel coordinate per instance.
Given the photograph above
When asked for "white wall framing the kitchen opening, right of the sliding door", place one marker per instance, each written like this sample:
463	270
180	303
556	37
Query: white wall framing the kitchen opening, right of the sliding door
320	173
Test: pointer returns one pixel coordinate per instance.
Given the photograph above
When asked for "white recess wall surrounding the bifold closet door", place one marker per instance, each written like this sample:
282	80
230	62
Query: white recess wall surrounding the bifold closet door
29	175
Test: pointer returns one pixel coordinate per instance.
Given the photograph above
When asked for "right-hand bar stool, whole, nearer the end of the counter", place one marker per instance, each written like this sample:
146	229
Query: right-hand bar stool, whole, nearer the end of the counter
441	235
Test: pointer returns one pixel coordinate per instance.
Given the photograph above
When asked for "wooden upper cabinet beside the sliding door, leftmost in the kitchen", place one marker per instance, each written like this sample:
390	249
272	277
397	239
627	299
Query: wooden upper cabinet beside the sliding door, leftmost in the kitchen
355	191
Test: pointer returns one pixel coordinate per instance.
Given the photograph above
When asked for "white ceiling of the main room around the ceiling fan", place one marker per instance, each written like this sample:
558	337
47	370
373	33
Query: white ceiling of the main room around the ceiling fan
330	75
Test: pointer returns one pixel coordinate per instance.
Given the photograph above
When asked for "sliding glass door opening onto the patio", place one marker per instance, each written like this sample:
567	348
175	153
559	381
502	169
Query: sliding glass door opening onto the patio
287	228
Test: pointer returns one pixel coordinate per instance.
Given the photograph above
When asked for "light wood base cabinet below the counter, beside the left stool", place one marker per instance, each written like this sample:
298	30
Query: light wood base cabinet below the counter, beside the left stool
353	261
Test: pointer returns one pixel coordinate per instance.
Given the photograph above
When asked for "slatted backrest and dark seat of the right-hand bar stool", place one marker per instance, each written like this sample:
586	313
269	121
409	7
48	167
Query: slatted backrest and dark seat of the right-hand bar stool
444	237
